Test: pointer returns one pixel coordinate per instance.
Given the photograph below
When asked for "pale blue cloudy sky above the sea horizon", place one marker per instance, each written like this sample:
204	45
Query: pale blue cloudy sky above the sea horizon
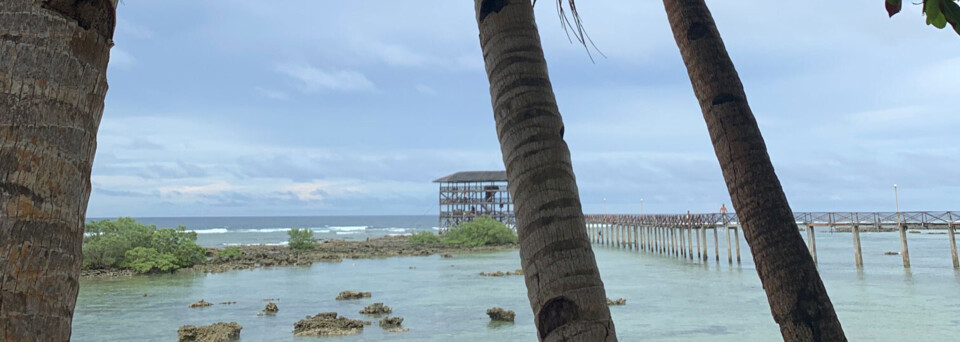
297	107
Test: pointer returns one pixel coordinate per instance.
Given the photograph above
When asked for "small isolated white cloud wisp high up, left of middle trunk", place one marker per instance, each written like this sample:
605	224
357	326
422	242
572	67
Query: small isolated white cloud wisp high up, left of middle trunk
312	80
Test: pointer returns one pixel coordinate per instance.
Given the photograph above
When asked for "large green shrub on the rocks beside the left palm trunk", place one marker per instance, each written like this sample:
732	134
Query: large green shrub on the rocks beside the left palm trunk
108	243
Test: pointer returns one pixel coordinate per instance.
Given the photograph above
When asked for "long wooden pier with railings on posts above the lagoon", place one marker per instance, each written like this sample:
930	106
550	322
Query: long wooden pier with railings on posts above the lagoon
676	235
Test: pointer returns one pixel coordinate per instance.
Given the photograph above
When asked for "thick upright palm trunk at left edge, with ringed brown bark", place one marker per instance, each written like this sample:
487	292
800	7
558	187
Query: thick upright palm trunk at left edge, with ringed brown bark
53	63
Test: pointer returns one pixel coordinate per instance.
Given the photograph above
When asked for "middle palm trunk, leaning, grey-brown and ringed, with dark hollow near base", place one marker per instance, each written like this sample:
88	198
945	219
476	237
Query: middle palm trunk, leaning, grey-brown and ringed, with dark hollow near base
563	282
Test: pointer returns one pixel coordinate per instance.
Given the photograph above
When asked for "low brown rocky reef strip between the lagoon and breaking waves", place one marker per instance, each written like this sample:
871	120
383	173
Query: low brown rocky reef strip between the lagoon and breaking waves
253	257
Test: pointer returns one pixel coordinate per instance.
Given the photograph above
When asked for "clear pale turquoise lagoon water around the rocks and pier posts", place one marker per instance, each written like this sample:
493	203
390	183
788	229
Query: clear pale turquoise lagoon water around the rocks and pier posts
668	299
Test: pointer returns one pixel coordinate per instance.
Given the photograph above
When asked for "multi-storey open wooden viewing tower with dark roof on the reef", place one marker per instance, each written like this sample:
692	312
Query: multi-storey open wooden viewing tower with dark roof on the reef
470	194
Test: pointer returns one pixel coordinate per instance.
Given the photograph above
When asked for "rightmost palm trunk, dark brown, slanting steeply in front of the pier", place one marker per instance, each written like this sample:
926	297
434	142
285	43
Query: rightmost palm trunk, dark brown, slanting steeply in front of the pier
797	298
